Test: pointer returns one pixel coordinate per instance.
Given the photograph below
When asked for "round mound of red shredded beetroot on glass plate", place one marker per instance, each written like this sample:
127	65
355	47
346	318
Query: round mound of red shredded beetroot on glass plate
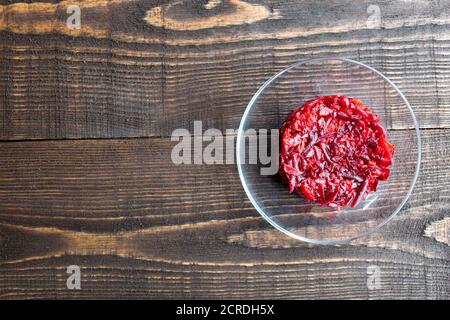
334	151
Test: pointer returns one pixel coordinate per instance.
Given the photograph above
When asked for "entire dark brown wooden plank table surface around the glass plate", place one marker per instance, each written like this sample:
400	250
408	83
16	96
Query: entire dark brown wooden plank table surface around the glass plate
86	179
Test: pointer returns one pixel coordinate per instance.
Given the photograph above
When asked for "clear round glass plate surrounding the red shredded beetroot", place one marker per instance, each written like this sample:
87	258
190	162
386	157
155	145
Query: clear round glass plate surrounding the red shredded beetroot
288	90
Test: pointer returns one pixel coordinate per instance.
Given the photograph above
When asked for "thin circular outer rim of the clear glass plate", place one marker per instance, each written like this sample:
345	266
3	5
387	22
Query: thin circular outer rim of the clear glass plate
261	211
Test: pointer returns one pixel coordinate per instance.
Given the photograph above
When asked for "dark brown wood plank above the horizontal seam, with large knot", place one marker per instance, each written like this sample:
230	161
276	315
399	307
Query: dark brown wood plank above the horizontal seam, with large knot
127	74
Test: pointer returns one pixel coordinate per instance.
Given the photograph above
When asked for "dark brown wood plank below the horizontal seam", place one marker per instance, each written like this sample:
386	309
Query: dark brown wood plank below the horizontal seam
141	227
